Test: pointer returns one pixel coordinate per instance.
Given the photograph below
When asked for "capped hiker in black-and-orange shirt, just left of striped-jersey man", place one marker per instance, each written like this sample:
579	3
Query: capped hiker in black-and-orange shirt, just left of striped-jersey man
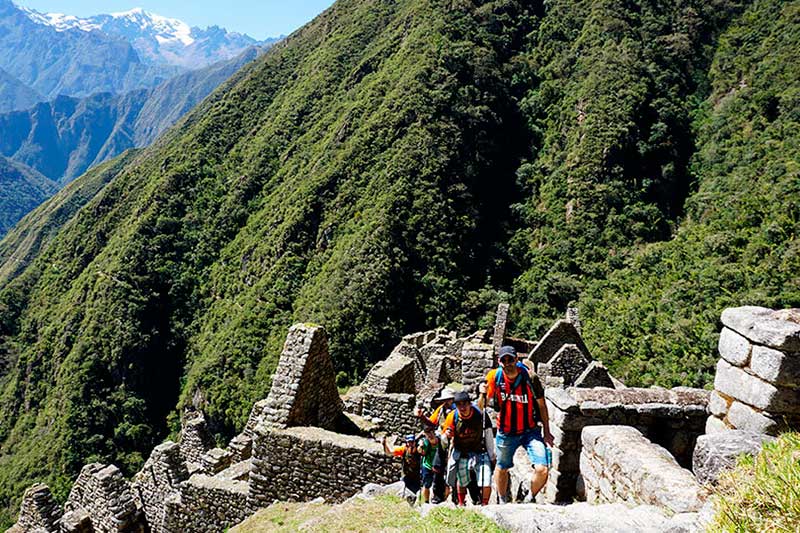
472	451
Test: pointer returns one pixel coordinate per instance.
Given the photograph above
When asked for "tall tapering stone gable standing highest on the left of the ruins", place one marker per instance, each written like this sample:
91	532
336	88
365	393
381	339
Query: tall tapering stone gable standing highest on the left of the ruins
304	389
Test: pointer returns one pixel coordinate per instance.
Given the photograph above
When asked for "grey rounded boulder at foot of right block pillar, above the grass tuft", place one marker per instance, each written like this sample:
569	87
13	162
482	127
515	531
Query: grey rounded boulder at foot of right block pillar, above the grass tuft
715	453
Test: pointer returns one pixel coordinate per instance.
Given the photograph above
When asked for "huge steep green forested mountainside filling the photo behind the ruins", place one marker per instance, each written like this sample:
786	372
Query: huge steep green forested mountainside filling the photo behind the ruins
398	165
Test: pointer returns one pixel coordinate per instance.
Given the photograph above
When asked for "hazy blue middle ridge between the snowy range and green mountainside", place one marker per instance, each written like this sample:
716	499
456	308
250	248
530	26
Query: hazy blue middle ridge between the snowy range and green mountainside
64	137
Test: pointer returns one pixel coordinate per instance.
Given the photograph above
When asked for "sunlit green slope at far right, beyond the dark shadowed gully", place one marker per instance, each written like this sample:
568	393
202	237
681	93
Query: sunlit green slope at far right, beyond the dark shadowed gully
656	319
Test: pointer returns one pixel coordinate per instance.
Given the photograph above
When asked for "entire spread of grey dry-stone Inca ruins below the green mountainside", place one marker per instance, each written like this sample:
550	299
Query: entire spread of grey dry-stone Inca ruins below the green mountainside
612	443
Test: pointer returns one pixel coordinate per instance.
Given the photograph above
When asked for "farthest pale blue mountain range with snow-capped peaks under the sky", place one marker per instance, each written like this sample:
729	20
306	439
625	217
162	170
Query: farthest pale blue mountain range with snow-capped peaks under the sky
46	55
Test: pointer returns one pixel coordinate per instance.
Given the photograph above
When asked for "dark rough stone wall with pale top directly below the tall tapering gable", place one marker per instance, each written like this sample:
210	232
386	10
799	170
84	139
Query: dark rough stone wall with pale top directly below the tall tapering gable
301	464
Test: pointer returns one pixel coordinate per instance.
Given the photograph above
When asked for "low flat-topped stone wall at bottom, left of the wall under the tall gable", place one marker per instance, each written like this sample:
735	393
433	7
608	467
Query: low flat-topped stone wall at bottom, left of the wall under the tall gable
207	505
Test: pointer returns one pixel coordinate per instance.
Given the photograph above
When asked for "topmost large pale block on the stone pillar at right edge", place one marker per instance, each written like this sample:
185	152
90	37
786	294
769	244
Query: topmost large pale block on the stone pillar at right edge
764	326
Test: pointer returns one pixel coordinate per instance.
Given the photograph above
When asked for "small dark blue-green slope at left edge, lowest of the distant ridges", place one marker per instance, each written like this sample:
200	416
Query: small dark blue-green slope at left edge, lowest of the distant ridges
21	190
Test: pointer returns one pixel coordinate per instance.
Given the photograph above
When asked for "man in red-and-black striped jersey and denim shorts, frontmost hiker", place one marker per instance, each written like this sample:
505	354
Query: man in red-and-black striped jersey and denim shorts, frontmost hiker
519	398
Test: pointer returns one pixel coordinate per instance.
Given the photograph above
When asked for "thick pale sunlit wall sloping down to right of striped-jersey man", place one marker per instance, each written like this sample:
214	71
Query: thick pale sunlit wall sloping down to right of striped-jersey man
618	463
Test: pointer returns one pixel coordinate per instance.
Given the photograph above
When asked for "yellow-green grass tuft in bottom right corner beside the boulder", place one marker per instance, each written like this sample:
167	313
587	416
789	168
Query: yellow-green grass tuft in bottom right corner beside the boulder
761	494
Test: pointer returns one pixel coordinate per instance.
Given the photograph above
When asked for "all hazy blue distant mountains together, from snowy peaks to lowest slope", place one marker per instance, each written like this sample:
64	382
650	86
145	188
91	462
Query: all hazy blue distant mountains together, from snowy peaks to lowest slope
75	92
